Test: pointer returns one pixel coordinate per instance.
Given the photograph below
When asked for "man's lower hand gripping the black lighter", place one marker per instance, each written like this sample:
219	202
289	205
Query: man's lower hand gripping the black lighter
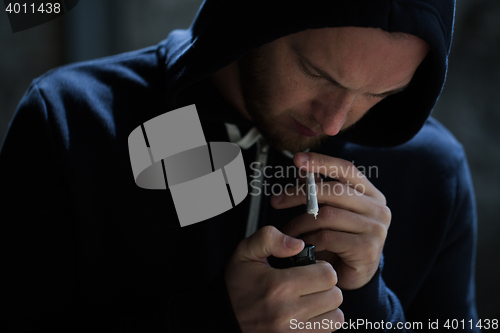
266	299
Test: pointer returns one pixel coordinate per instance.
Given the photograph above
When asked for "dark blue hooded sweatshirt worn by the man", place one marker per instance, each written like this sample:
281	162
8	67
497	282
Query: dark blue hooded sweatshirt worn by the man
85	249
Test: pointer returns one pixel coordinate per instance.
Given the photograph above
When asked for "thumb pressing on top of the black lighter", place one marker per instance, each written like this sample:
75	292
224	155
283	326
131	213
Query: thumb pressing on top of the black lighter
266	242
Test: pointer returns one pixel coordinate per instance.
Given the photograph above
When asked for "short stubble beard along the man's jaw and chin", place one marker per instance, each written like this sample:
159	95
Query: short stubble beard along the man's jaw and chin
254	83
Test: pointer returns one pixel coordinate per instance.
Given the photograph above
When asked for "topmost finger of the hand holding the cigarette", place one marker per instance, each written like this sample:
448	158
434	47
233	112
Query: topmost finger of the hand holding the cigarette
337	168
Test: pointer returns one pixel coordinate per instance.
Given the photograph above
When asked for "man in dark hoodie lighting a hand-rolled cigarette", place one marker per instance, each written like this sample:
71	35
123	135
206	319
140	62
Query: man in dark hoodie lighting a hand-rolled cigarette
351	81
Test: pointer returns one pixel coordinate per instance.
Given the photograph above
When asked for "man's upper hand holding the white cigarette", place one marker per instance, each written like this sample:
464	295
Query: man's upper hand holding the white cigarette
352	223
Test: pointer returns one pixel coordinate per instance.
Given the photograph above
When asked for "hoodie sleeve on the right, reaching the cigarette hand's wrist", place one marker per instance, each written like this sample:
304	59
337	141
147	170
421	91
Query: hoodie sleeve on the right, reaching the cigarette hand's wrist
447	296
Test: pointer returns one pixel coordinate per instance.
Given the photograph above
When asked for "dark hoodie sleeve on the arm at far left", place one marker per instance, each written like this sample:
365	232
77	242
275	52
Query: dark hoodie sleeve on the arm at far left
38	270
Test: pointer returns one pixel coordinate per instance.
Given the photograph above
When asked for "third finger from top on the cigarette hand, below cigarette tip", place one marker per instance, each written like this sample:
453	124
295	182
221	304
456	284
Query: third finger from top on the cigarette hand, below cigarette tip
331	218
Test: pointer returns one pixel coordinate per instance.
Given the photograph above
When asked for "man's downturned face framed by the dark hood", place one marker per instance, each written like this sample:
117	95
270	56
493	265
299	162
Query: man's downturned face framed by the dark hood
304	87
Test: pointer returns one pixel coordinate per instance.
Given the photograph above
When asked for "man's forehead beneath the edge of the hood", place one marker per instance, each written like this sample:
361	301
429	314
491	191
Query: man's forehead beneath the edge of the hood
362	55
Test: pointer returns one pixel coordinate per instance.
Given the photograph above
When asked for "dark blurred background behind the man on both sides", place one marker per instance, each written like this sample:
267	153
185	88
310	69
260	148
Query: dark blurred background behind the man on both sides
469	105
